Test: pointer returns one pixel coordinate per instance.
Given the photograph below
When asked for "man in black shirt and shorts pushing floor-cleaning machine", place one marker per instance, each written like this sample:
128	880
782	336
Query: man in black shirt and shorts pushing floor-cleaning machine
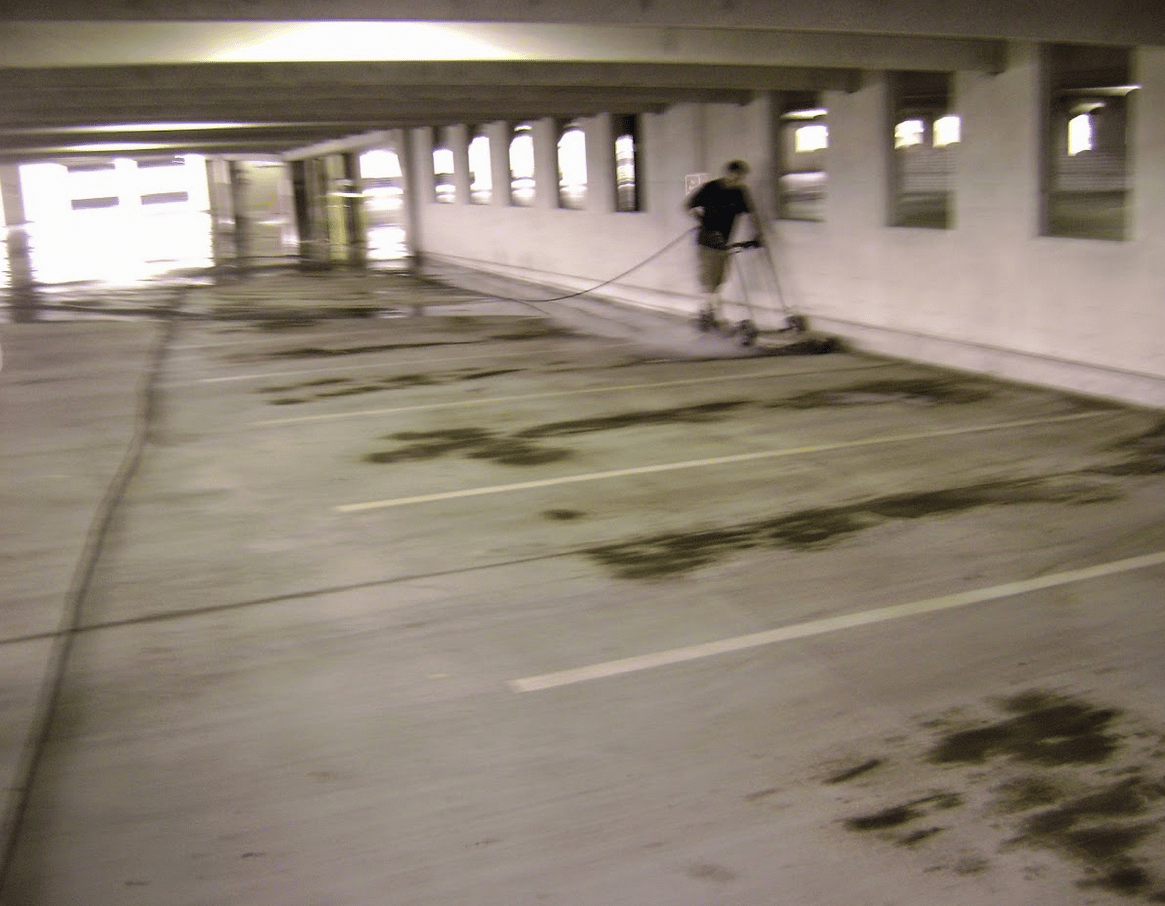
716	207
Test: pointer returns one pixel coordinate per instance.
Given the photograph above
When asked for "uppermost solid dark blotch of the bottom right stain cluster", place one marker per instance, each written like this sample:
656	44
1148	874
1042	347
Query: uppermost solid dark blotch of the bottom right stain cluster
1049	733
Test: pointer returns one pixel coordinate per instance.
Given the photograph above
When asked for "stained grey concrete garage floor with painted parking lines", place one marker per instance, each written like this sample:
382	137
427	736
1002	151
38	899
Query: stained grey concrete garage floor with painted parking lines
462	605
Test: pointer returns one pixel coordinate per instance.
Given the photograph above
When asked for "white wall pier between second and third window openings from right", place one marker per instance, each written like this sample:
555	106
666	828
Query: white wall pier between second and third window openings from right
862	144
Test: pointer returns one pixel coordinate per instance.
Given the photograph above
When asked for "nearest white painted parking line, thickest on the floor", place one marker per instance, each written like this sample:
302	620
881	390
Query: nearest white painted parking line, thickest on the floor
830	625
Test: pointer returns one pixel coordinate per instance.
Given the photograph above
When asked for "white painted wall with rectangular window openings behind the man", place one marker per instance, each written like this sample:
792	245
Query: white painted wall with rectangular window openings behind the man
990	295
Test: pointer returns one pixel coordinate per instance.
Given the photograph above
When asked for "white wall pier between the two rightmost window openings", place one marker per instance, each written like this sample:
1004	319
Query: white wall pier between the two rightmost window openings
1004	155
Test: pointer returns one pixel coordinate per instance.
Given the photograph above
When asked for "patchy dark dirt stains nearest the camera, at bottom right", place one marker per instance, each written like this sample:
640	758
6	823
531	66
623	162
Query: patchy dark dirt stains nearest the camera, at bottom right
1106	822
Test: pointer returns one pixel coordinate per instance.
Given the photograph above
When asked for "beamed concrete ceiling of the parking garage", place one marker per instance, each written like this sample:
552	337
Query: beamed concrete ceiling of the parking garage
123	82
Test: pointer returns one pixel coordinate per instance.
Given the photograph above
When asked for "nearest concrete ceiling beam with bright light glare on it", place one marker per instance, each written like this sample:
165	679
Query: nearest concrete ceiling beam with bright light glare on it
93	44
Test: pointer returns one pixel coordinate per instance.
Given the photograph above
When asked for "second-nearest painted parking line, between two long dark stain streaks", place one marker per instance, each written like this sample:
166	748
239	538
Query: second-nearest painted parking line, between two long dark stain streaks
711	462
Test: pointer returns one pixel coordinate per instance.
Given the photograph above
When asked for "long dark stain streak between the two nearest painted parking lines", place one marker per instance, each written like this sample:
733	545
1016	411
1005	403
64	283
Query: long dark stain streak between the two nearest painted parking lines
816	529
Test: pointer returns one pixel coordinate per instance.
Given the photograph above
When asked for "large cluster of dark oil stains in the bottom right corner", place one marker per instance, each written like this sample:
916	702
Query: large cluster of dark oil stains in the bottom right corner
1040	771
